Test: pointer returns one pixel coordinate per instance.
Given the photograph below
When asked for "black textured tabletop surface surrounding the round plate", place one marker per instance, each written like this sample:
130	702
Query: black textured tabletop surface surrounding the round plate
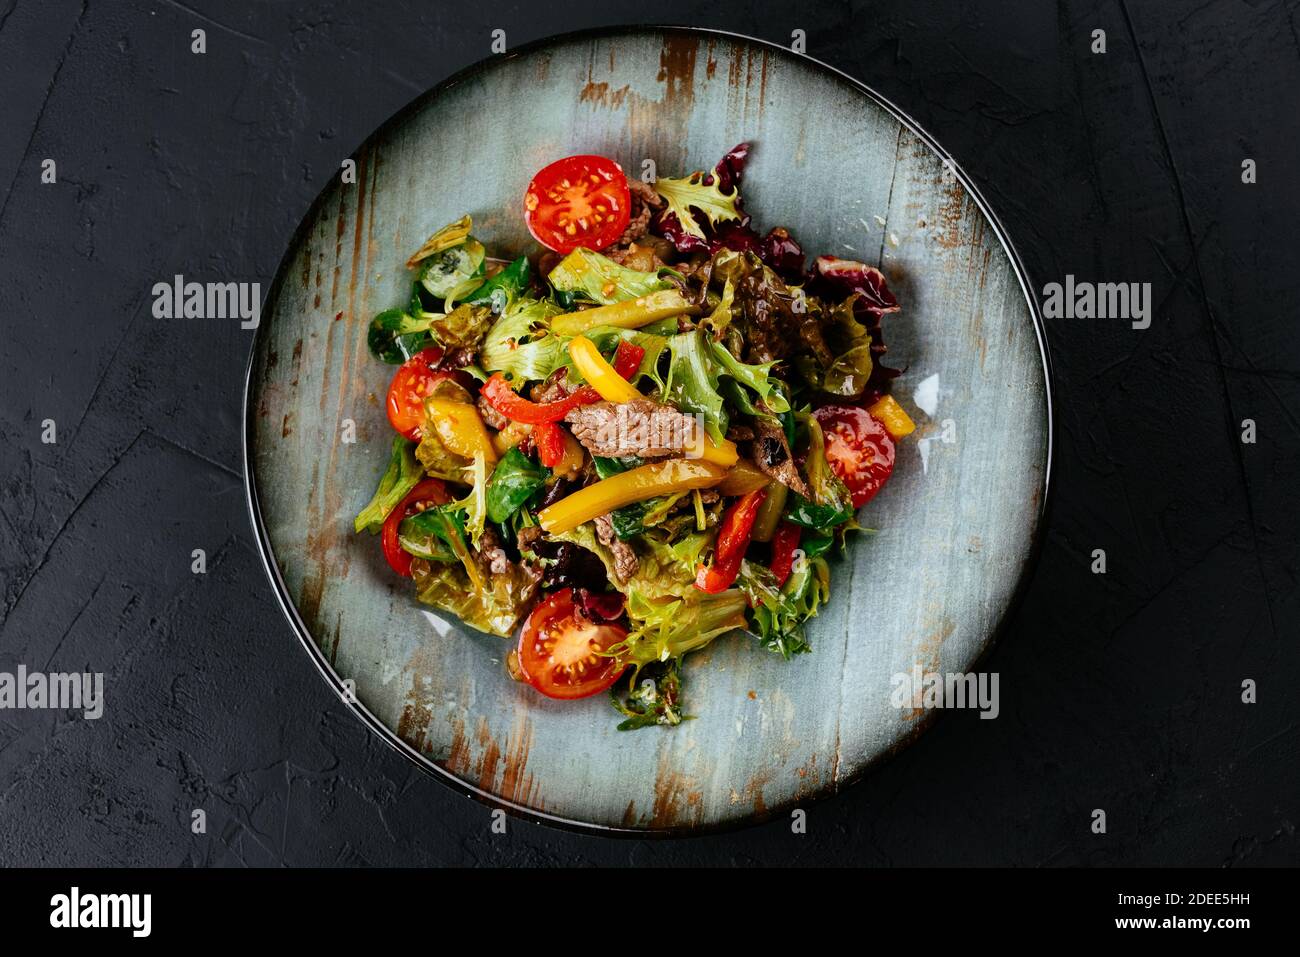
1120	692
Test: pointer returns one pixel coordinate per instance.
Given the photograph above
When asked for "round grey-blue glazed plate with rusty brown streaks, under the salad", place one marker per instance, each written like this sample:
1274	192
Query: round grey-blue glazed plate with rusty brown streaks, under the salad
851	176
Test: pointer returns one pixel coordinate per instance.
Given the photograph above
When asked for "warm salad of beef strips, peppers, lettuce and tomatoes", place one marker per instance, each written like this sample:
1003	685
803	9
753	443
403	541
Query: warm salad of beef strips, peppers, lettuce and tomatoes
645	435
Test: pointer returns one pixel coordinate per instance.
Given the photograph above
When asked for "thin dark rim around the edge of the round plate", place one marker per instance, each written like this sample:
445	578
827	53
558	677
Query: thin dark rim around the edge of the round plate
427	764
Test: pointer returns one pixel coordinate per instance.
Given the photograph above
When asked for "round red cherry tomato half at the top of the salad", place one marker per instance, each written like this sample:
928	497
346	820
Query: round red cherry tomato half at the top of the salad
579	201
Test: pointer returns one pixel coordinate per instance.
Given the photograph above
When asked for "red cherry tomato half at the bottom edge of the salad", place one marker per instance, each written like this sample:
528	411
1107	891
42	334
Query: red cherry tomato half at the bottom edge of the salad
560	652
